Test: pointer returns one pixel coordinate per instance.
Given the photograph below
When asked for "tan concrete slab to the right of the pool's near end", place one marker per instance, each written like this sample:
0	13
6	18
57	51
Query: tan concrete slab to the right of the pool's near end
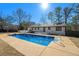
66	45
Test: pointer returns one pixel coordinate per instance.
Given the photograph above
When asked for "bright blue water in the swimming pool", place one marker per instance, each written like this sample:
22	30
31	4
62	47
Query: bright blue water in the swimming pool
38	39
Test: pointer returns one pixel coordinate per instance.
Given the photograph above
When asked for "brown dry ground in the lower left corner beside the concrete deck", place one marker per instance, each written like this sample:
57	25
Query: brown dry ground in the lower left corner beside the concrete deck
7	50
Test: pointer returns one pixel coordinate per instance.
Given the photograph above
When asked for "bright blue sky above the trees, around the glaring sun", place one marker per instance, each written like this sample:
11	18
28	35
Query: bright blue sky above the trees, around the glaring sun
35	9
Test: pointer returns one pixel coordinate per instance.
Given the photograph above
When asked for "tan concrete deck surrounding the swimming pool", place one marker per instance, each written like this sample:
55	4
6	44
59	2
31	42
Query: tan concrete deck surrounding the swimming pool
64	48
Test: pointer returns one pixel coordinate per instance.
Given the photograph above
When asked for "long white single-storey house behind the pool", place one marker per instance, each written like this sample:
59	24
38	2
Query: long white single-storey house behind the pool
49	29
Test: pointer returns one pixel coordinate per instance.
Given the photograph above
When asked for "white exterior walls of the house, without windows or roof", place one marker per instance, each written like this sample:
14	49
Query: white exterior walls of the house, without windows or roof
51	31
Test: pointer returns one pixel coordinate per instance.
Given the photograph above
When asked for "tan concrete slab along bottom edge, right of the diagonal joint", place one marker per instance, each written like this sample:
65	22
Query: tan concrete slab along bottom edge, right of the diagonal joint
55	52
